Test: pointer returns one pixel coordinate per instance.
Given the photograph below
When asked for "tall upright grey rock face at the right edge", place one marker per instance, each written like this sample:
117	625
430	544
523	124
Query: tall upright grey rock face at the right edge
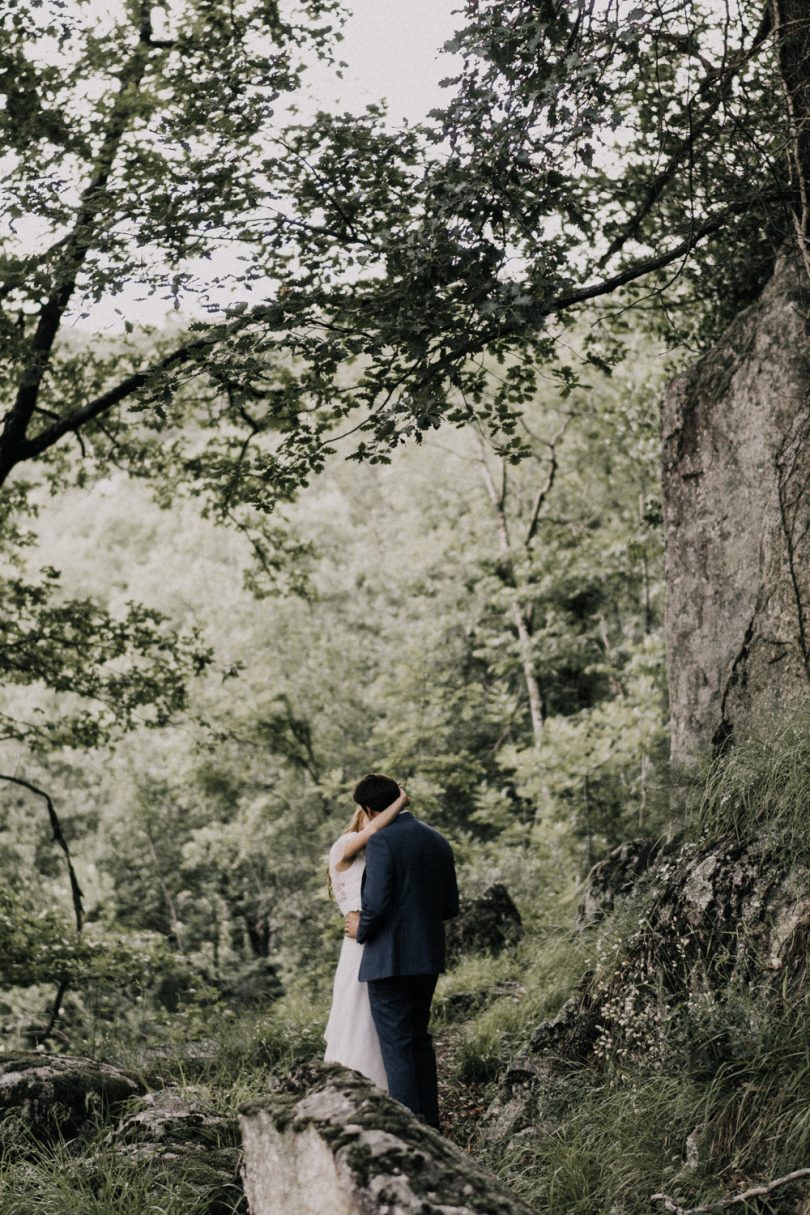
737	487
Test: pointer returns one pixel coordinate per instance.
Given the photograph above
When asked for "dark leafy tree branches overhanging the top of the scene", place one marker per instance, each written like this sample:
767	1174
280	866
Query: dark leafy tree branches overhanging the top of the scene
404	278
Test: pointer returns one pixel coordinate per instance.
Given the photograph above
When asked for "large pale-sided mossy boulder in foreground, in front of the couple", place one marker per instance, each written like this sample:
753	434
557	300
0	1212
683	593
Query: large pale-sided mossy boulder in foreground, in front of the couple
347	1149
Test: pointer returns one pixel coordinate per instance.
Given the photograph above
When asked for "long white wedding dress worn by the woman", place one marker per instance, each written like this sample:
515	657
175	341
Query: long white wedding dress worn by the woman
352	1037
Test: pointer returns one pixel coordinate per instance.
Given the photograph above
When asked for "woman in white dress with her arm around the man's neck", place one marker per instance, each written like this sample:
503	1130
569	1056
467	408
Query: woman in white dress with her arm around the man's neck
350	1035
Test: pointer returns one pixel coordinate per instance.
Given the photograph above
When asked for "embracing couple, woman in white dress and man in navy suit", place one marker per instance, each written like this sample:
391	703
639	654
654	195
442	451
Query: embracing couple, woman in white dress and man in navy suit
394	879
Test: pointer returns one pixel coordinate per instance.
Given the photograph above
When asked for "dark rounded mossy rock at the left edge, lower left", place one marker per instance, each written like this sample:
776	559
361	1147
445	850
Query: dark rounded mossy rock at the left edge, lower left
58	1095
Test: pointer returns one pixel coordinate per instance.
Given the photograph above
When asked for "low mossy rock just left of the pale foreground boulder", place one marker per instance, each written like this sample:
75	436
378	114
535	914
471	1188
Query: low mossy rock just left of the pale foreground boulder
183	1133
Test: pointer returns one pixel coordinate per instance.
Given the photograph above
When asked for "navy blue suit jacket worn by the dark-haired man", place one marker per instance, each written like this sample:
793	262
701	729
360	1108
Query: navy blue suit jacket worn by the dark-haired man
409	891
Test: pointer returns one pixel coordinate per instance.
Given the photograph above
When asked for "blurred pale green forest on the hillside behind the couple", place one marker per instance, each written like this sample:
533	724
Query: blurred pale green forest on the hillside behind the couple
389	646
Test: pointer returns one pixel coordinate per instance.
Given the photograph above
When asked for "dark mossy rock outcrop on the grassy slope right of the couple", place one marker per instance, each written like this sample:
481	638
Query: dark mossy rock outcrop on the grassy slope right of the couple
711	933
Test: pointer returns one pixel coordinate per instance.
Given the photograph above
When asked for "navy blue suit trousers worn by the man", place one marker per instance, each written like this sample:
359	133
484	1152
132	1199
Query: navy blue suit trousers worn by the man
401	1013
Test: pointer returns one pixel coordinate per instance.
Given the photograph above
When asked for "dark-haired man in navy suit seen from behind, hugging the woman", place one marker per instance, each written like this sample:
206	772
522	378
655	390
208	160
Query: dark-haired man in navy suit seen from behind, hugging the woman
409	892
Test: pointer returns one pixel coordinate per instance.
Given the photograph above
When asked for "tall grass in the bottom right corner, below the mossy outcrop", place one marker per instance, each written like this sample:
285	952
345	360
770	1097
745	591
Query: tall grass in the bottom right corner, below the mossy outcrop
604	1143
